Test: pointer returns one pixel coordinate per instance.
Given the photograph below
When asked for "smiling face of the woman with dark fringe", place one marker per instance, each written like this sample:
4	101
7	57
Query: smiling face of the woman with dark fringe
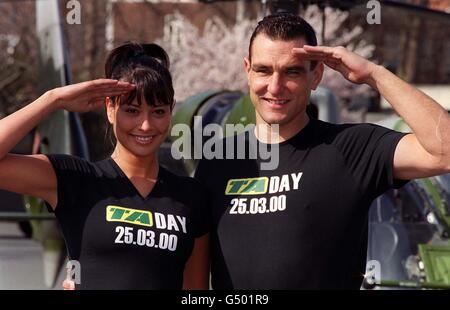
140	129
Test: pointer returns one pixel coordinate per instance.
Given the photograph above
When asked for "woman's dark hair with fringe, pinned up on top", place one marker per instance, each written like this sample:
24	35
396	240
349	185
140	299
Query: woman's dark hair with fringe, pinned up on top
146	66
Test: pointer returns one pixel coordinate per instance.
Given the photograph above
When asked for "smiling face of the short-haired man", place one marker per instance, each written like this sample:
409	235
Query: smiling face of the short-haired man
280	83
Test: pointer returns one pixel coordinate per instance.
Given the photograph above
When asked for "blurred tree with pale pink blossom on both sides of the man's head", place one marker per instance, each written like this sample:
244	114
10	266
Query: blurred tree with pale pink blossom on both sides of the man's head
213	59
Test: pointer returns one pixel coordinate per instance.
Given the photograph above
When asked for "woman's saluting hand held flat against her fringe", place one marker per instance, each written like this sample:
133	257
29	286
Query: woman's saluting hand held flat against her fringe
89	95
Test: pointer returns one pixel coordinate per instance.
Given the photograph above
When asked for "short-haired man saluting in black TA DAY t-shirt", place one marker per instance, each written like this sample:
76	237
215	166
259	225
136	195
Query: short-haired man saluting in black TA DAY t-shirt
304	224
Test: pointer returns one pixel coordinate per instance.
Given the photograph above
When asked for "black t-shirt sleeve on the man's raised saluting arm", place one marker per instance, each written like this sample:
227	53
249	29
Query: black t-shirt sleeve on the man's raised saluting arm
368	151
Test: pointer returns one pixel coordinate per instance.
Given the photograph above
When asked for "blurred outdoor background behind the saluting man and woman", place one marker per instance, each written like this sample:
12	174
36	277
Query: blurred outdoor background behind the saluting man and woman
48	43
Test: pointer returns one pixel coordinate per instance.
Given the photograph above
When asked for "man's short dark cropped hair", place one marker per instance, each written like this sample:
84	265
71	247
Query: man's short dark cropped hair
285	27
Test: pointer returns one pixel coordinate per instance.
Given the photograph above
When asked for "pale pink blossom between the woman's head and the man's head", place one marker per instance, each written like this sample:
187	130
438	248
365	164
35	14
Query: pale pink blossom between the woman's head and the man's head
212	59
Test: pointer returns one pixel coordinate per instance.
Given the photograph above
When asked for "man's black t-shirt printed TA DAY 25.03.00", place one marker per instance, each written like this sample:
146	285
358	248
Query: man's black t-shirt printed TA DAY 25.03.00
304	224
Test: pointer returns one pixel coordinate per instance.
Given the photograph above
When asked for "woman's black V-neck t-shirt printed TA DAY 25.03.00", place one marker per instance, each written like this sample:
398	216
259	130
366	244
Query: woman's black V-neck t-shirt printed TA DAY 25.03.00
121	239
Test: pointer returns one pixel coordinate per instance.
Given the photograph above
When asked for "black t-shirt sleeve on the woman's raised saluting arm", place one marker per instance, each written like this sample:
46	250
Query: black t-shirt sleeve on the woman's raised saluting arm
71	174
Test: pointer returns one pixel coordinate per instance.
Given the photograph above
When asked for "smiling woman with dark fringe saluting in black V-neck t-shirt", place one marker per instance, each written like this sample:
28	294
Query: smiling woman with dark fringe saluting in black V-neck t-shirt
129	222
